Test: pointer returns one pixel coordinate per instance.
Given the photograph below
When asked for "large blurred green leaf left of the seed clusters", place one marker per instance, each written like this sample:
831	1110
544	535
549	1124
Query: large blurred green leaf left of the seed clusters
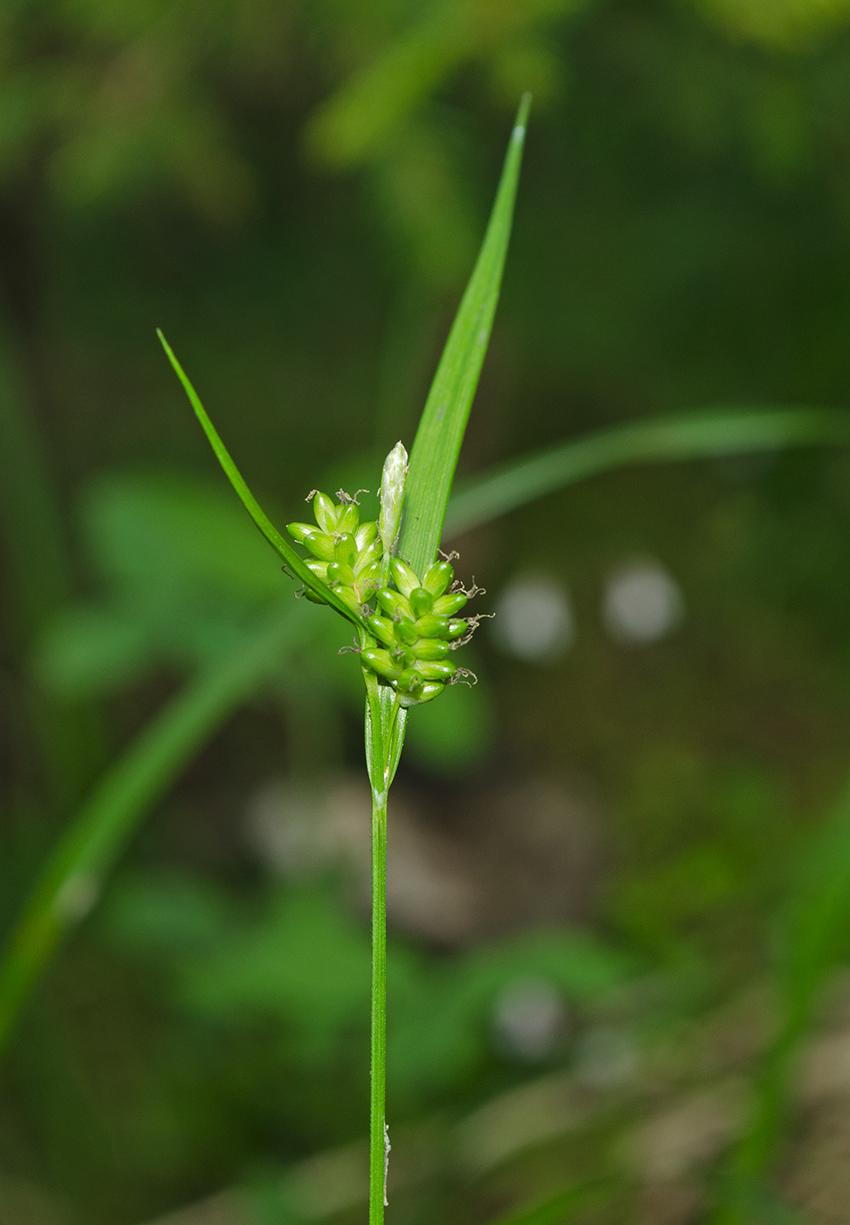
184	570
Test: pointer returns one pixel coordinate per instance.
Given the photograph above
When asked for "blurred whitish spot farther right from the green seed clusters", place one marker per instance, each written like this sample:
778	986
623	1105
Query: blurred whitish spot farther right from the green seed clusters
642	603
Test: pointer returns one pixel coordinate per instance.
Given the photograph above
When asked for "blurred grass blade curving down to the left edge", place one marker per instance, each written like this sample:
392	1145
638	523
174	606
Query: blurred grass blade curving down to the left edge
75	873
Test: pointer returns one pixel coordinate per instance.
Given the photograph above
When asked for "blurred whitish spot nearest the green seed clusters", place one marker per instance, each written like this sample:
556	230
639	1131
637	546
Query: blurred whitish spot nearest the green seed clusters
535	619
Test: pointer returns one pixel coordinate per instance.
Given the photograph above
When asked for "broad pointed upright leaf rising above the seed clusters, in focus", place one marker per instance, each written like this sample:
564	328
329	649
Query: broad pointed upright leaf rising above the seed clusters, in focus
438	444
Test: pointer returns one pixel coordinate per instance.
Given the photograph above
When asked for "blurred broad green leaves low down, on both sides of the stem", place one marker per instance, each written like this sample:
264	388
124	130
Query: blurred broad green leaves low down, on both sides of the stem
298	973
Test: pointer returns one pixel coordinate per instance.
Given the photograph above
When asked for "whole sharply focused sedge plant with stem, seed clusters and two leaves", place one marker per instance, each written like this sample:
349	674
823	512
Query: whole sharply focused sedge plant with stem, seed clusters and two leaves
388	579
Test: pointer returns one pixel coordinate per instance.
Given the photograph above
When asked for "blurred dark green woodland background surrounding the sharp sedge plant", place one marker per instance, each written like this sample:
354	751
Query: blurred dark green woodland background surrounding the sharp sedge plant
592	852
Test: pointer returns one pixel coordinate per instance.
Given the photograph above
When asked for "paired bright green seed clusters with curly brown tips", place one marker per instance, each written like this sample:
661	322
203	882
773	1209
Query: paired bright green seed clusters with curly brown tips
416	629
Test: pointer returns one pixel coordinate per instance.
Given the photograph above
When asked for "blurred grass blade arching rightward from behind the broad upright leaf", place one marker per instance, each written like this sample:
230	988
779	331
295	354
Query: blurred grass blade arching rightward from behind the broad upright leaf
699	435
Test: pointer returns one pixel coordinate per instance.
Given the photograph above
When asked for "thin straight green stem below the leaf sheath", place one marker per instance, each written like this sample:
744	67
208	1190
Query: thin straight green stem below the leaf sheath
379	1150
